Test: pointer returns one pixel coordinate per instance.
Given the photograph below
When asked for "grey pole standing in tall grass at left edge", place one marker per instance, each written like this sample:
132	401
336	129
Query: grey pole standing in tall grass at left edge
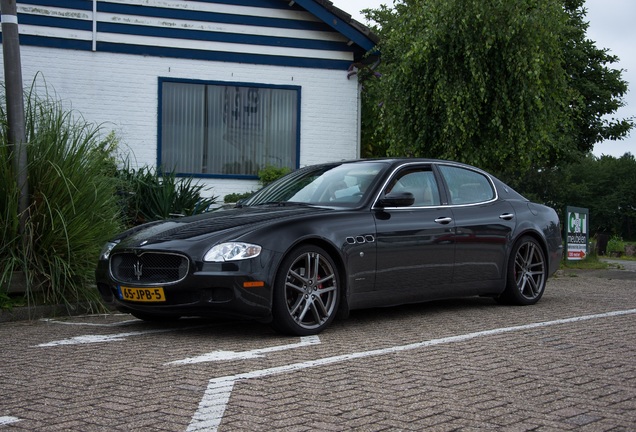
15	102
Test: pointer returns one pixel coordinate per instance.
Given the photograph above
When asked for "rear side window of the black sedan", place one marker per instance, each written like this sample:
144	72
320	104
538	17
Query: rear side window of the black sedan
466	186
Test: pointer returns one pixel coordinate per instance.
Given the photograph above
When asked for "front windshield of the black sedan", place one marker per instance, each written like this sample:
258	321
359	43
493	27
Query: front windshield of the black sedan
346	185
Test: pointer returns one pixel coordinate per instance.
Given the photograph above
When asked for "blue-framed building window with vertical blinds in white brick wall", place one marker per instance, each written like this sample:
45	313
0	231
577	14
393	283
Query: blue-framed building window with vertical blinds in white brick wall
220	129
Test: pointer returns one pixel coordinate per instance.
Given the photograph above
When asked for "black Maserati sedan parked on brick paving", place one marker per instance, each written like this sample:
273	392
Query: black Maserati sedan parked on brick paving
331	238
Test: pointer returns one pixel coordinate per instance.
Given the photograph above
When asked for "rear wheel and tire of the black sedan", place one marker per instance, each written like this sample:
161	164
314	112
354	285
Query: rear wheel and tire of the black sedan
527	273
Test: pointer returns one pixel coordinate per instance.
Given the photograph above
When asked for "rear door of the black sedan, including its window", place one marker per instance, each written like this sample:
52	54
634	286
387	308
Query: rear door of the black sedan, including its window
484	225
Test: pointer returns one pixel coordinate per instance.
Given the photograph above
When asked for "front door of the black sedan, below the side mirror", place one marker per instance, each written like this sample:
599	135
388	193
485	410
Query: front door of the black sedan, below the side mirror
415	248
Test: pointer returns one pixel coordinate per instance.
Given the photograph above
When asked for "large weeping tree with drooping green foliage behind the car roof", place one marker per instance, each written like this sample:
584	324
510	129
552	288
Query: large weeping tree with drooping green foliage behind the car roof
472	80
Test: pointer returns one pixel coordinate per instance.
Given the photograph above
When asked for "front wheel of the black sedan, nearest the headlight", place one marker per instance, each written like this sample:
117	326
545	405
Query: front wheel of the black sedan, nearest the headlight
306	292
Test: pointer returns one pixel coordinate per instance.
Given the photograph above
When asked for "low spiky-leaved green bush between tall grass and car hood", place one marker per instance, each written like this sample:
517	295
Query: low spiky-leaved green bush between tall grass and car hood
146	196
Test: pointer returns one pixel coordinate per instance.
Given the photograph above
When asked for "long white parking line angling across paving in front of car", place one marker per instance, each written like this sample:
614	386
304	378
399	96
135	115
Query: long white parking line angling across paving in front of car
210	412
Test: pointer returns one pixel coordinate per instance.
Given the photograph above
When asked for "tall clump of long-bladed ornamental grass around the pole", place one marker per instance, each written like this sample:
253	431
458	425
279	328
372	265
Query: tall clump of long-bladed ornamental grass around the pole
72	204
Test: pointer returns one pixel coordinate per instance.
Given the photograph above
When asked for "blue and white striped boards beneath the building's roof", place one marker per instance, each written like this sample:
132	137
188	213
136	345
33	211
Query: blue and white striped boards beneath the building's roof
247	31
